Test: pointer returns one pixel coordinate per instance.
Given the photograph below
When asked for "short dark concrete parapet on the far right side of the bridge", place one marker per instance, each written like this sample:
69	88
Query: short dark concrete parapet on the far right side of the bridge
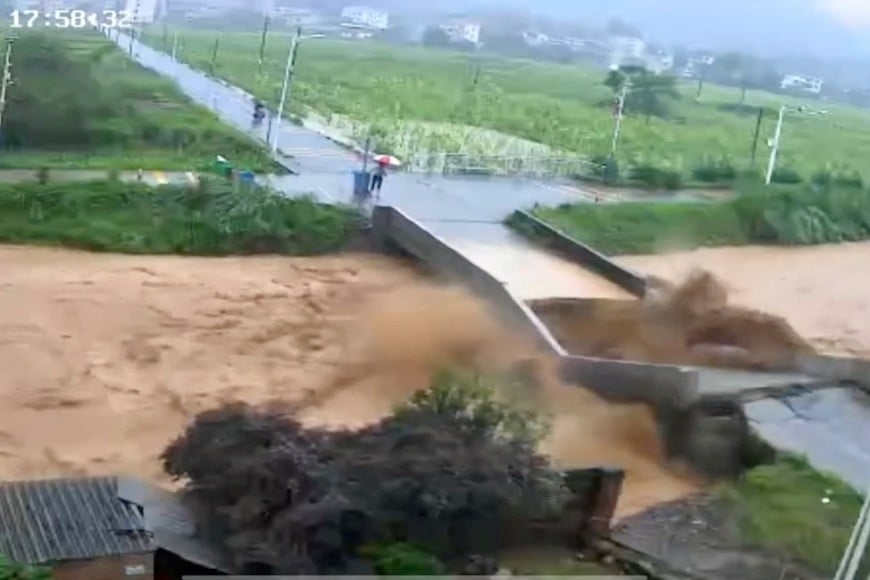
577	252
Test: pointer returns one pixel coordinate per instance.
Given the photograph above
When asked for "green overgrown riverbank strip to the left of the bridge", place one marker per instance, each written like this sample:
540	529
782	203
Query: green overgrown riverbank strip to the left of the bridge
211	219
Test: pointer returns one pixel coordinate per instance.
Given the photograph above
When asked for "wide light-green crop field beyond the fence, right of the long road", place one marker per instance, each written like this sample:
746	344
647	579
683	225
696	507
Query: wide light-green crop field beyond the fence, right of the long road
566	108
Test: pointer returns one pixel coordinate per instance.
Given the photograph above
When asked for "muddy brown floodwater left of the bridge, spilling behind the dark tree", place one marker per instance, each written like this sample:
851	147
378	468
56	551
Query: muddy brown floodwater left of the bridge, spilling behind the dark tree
107	357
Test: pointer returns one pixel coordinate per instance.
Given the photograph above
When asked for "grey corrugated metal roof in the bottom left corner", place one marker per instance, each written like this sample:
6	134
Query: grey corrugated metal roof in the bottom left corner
68	519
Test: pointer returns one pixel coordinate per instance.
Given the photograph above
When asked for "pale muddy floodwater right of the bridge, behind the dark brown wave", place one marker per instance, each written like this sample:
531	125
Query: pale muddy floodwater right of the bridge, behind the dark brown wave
823	291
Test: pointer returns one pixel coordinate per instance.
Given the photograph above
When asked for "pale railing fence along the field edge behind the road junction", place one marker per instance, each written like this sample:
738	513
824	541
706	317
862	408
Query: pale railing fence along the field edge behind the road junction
540	167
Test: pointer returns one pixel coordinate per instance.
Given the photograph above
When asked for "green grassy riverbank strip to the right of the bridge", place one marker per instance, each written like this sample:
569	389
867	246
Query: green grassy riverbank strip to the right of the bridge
799	215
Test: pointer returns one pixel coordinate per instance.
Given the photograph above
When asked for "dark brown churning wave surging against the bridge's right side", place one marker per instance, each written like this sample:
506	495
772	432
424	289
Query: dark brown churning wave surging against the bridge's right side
689	323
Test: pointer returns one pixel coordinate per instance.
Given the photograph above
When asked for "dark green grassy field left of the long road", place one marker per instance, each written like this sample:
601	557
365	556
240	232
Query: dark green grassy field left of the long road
79	102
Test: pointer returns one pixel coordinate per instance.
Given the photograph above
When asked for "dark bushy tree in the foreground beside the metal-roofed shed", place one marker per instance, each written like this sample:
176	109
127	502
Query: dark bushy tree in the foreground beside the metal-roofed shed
449	472
